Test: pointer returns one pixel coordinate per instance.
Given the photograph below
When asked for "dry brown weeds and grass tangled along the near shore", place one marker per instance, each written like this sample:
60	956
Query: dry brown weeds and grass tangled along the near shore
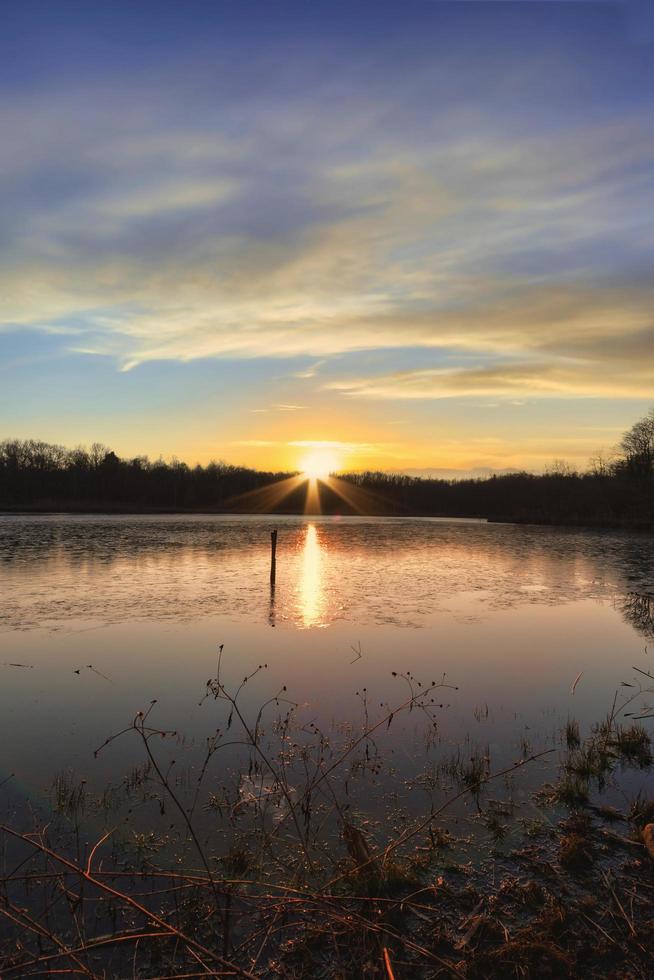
269	859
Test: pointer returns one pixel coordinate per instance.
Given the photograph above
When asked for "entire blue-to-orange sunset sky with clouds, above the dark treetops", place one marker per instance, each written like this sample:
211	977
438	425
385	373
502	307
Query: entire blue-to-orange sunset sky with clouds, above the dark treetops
410	236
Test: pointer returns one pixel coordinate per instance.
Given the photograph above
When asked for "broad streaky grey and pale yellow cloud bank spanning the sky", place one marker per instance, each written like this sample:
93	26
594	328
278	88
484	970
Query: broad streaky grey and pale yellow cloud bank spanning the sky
147	231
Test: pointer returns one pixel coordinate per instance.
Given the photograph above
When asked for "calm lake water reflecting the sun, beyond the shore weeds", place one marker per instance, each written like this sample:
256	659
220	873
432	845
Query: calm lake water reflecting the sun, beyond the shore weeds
100	615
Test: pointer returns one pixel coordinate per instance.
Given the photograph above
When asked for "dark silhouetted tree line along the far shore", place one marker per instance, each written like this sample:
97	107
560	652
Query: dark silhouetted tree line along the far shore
618	491
